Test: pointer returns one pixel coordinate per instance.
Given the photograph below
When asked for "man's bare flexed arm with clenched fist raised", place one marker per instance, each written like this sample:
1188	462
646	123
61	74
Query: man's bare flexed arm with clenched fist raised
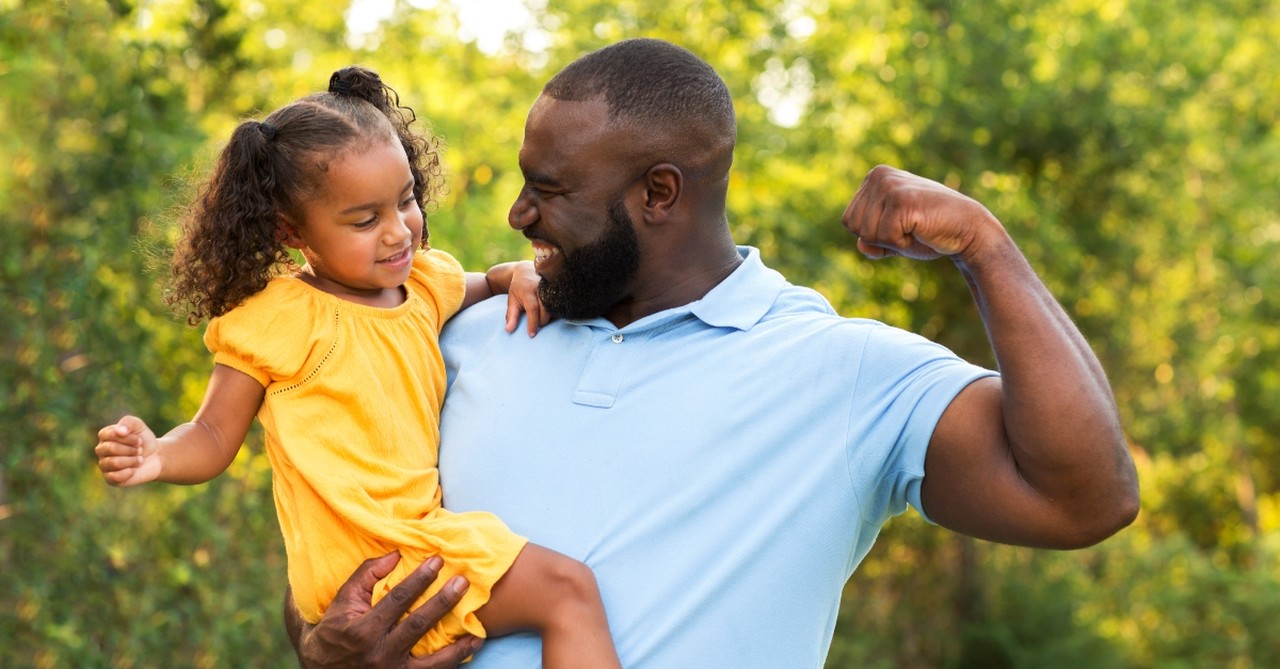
1036	457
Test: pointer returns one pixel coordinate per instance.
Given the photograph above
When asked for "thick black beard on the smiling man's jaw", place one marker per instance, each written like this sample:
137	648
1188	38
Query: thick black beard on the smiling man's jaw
596	277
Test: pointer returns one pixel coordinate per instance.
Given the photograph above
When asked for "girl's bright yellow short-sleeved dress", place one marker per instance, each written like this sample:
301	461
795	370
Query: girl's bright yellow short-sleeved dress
351	415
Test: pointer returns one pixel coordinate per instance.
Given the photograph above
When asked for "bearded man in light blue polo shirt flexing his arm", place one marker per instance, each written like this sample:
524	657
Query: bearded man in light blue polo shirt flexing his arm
714	442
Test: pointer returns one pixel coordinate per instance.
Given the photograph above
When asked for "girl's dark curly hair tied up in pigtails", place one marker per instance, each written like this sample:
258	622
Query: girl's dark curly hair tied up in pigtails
231	246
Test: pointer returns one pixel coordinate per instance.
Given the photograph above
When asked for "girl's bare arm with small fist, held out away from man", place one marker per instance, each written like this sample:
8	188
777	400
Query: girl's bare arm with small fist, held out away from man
129	452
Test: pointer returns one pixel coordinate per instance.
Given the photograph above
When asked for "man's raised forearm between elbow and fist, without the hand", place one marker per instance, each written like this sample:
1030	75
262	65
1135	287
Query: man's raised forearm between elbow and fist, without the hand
1059	413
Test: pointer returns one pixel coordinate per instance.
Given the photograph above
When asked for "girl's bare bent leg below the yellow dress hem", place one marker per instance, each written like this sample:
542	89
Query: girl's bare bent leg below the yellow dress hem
556	597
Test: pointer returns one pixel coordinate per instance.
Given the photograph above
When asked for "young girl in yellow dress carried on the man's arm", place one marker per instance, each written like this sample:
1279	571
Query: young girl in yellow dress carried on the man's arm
341	364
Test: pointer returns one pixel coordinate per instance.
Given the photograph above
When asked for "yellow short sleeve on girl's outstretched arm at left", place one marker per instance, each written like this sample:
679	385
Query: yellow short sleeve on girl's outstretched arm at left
267	337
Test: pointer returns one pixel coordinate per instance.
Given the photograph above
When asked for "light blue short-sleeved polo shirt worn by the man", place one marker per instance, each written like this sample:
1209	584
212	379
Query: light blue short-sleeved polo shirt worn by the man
723	466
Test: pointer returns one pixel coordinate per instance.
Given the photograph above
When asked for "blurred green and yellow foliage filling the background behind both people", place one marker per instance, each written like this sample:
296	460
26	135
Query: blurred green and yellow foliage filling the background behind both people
1131	146
